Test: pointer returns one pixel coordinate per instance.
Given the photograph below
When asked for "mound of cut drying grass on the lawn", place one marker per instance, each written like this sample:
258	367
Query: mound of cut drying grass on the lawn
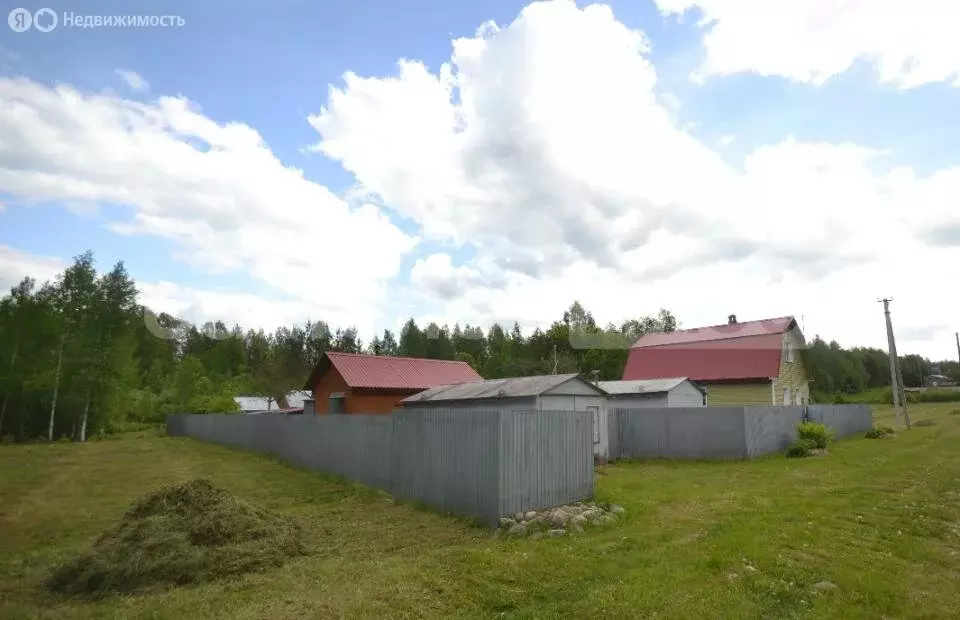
188	533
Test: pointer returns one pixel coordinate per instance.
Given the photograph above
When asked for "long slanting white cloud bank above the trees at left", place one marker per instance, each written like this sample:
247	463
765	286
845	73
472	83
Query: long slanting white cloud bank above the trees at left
216	190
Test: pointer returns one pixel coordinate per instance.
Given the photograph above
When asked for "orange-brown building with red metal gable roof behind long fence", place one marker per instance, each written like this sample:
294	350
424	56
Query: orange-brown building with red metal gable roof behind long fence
357	383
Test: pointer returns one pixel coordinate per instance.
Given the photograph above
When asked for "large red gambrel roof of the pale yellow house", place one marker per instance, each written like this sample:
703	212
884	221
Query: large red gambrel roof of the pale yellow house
749	350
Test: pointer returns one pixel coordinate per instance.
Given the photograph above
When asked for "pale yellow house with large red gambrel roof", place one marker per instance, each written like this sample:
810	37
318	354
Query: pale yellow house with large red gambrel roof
748	363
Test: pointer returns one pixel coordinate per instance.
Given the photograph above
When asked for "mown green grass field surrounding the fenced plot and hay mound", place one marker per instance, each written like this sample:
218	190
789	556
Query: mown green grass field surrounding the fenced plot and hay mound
880	519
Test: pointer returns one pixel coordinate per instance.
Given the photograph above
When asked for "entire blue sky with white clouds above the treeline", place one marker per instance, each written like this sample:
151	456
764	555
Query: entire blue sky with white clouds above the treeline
363	163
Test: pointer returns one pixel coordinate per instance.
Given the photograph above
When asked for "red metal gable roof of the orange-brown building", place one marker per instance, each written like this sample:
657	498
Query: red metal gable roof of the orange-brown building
396	373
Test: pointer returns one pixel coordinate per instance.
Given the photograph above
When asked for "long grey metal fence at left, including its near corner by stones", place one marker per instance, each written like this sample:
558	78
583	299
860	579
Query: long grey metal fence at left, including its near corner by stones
481	464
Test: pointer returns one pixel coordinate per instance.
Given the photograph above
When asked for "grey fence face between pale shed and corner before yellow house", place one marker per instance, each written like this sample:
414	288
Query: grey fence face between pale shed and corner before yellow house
682	433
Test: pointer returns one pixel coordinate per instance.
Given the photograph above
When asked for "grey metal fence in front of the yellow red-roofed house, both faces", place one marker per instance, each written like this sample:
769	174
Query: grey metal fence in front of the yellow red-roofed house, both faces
724	432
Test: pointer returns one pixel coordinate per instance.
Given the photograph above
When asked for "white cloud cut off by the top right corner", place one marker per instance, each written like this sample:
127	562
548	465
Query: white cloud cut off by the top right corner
814	40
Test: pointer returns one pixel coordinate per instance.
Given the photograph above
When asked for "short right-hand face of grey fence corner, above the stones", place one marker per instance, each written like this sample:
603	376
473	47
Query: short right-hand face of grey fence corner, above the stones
546	459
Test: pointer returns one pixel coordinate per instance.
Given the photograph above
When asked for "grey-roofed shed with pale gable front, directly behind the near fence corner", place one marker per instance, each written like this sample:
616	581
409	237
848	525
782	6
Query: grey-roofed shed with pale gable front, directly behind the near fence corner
567	392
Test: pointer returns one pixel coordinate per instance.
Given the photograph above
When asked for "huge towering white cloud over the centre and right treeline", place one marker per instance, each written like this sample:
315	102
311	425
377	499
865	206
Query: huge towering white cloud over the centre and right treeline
544	147
